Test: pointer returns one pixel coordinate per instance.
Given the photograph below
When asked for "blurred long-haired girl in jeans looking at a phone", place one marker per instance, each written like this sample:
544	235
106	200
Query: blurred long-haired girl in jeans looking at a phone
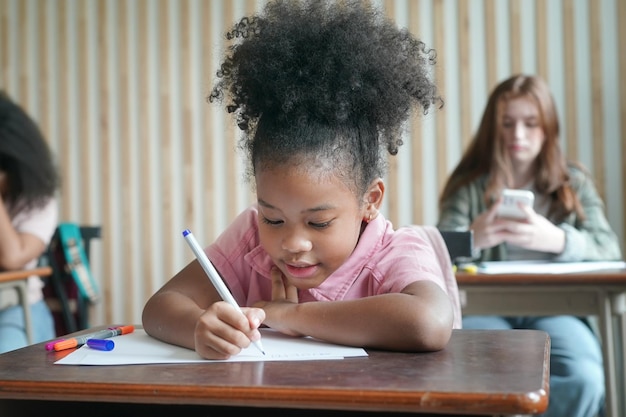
517	147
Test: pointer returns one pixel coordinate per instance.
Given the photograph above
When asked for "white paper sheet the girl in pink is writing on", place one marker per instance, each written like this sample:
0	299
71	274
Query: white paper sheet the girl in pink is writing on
140	348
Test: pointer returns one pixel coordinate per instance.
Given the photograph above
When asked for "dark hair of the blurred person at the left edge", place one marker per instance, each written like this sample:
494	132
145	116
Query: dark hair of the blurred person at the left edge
25	157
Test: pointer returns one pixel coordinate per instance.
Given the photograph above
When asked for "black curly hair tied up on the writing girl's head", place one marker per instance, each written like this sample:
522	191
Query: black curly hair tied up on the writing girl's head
330	82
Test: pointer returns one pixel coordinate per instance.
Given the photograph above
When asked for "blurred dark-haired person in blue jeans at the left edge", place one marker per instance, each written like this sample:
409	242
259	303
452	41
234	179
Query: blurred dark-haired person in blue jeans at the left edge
28	218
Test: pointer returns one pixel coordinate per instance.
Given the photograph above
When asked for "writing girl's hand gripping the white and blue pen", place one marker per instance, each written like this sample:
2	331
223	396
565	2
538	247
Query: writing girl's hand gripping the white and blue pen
222	331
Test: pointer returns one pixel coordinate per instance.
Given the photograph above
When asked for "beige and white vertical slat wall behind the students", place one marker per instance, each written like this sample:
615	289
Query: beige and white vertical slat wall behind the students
119	87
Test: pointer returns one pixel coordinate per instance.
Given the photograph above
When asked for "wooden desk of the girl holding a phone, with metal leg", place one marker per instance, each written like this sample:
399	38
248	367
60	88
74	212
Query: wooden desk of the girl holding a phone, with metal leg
598	293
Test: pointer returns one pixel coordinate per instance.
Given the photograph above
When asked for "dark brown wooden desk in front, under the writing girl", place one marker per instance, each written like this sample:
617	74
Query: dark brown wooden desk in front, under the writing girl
481	372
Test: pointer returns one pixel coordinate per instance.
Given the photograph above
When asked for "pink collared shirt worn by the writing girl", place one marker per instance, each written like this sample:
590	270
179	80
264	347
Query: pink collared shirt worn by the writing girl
384	261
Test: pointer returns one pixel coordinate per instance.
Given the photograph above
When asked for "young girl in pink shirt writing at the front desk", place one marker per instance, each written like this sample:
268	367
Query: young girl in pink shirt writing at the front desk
320	91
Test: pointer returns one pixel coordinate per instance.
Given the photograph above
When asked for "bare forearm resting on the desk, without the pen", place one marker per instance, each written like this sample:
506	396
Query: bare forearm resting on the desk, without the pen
418	319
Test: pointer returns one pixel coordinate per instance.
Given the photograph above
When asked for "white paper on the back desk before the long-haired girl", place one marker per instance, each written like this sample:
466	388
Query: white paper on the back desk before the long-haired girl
545	267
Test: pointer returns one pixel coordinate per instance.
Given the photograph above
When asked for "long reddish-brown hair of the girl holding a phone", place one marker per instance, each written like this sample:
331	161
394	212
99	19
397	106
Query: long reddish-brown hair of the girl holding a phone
486	154
